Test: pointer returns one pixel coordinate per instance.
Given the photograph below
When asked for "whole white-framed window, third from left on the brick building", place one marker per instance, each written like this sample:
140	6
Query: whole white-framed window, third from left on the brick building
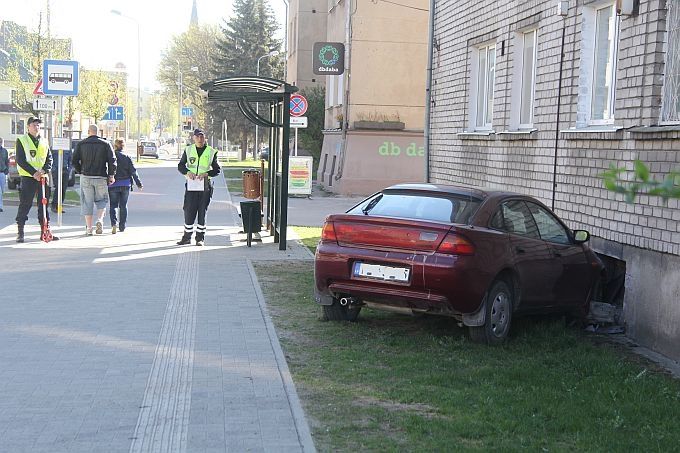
597	76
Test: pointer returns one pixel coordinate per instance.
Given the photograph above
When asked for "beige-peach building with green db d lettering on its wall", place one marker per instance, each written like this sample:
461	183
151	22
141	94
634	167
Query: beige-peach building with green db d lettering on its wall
375	110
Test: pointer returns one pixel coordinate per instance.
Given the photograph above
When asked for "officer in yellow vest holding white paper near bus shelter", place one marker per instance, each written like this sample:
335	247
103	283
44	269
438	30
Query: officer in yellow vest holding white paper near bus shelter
198	164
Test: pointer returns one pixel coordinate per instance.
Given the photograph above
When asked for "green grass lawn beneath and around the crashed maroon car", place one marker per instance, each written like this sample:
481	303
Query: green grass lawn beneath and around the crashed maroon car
397	383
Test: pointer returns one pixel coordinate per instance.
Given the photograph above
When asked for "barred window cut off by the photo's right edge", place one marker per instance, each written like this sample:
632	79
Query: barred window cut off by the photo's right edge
670	104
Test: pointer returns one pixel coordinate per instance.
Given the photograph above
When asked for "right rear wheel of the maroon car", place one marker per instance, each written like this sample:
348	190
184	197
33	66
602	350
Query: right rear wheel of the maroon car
499	303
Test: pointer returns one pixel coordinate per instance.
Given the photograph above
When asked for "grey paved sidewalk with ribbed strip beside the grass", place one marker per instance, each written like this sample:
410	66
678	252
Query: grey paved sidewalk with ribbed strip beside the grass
130	343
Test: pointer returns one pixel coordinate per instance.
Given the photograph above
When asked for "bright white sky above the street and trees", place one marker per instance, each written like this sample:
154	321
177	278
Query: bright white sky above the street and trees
101	39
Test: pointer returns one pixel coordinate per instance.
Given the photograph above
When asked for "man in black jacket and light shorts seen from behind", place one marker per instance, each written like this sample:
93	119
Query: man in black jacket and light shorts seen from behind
95	160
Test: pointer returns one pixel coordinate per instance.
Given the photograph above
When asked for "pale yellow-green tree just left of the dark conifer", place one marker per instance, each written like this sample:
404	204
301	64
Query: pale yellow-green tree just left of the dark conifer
193	48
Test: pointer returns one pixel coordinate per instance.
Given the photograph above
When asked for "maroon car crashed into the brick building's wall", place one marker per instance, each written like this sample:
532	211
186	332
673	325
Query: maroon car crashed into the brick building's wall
479	256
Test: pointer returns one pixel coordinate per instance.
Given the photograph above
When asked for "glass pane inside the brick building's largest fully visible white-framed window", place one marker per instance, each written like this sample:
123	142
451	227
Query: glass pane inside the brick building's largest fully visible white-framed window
604	71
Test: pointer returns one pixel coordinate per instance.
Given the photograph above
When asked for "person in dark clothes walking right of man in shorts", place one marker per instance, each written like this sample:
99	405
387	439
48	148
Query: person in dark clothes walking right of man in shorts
119	190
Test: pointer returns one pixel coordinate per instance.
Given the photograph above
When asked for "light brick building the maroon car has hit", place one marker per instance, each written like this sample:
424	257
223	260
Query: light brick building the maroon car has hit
501	73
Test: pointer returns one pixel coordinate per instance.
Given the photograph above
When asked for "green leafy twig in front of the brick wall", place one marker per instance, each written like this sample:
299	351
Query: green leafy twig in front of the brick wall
615	180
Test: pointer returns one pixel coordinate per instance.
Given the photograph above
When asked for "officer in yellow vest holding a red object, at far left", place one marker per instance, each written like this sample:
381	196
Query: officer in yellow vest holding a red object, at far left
34	162
